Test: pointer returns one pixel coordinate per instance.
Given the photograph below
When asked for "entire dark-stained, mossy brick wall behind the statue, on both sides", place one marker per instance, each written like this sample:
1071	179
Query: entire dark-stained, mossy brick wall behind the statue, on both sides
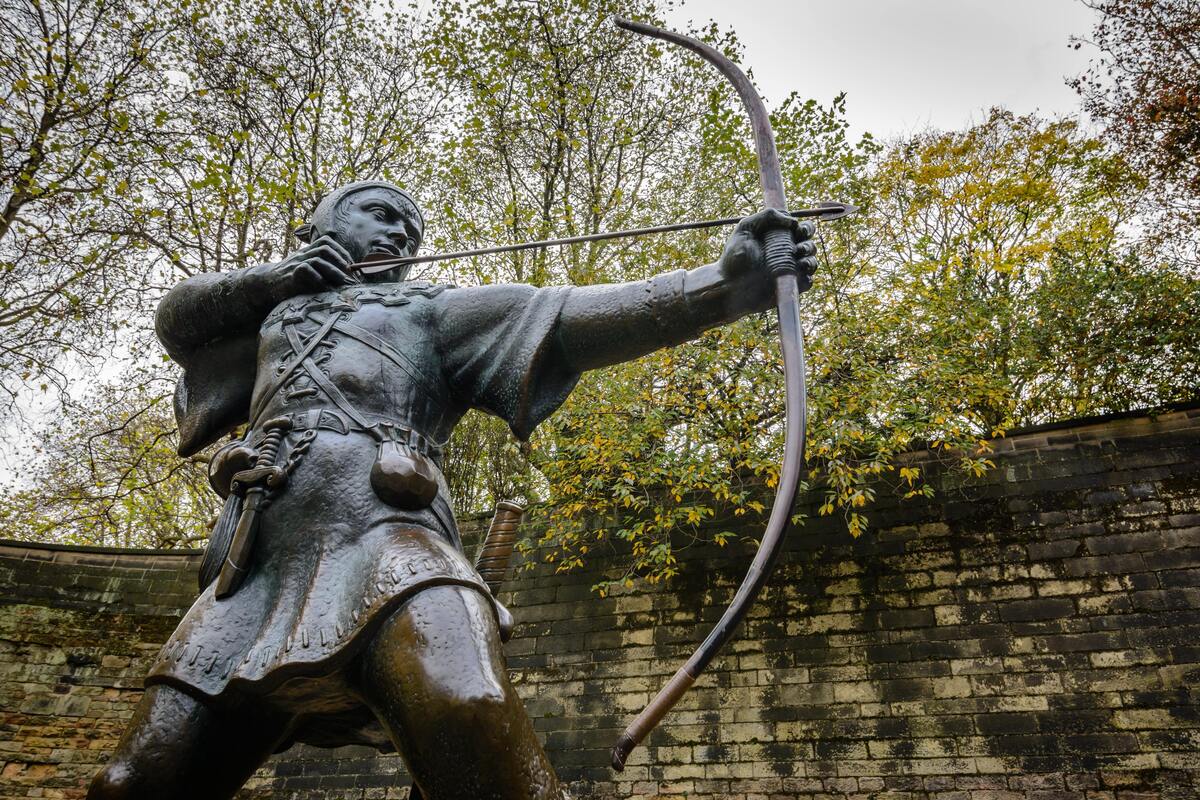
1034	635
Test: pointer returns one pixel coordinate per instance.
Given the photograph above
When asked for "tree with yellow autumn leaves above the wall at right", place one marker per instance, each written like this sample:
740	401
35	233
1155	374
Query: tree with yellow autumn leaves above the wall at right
1006	270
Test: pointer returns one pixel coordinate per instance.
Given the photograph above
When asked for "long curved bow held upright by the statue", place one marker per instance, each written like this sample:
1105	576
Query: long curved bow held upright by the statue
779	254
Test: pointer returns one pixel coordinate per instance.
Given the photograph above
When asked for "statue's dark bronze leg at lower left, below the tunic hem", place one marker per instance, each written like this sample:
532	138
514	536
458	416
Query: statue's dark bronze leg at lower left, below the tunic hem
179	748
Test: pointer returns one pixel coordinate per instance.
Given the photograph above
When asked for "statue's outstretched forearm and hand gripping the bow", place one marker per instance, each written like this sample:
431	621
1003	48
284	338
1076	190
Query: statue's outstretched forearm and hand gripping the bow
608	324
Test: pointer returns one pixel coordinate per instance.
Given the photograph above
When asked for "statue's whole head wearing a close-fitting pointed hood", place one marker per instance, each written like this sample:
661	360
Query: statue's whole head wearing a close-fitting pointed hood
369	219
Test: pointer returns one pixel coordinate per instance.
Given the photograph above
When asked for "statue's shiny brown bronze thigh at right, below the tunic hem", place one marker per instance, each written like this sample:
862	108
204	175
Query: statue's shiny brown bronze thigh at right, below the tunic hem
435	677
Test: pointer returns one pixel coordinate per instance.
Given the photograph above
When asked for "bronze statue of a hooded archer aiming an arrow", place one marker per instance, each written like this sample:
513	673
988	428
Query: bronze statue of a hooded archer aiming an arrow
338	606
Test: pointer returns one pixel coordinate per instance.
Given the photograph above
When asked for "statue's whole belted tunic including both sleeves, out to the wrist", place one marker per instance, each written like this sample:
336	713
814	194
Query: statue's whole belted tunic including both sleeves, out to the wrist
347	370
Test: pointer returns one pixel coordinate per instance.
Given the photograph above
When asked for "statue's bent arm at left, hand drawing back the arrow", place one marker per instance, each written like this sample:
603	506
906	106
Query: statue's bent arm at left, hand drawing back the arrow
220	305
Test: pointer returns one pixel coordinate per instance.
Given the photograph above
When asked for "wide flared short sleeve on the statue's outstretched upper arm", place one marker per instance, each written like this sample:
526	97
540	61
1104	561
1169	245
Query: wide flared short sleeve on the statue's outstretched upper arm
502	352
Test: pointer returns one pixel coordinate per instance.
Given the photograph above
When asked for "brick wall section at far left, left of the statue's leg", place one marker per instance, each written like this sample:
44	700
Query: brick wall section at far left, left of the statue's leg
79	629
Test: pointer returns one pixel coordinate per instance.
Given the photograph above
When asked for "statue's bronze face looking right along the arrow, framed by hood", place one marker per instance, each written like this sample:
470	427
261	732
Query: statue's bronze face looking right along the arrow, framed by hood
377	222
